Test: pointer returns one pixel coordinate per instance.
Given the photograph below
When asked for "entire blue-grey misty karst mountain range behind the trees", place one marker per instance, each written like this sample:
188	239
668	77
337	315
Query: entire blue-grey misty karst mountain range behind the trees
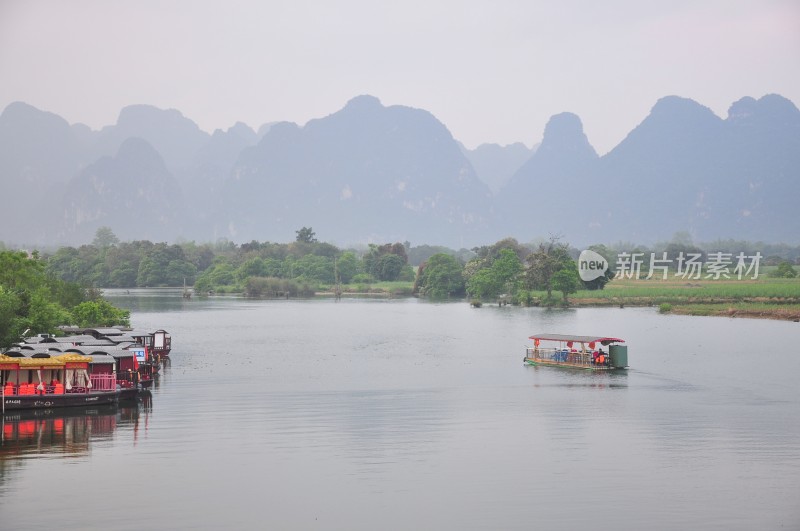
372	173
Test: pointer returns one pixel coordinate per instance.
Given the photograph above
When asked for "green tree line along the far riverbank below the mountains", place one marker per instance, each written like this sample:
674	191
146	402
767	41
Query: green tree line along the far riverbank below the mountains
299	268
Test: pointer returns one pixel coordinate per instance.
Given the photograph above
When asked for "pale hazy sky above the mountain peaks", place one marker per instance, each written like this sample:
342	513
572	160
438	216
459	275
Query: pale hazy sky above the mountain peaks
491	71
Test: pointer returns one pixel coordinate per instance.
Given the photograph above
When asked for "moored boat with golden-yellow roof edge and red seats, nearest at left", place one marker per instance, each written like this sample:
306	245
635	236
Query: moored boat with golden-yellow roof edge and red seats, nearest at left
52	379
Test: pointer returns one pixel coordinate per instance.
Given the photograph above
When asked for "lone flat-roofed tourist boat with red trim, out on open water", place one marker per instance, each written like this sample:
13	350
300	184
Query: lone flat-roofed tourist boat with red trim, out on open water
579	352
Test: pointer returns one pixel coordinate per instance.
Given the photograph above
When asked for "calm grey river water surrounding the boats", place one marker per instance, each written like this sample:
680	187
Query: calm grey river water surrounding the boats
406	414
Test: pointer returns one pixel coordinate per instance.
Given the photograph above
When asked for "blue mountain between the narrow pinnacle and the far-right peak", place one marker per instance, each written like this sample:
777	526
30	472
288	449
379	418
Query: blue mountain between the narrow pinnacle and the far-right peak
663	173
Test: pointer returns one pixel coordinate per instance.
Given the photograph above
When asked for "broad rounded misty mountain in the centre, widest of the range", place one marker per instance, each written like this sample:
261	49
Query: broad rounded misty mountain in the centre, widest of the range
364	173
